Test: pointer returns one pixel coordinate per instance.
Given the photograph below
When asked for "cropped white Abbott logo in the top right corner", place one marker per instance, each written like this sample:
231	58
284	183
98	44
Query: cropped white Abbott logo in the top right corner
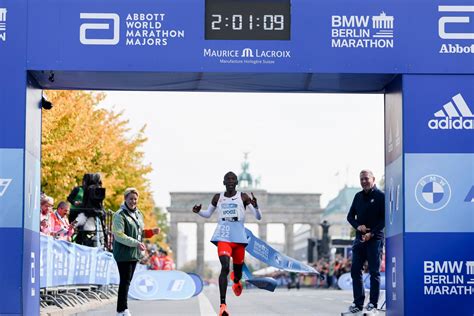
455	18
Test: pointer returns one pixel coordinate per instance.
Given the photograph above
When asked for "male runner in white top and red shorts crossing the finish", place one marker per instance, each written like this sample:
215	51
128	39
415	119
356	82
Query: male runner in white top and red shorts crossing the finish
230	236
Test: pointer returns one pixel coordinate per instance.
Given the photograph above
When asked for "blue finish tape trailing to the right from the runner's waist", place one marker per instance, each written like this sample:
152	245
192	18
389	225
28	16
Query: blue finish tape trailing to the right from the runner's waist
265	253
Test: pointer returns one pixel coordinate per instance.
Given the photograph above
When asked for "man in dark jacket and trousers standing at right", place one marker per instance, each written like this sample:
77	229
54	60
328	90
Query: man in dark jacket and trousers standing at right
367	216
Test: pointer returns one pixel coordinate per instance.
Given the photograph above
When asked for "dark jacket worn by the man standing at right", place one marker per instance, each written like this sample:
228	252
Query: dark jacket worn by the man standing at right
368	209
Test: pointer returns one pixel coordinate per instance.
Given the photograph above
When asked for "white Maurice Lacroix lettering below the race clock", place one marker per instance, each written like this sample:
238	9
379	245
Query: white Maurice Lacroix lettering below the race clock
246	55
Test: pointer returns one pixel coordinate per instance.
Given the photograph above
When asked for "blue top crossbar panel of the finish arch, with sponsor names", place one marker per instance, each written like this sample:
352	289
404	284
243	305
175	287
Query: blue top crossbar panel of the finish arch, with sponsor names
370	37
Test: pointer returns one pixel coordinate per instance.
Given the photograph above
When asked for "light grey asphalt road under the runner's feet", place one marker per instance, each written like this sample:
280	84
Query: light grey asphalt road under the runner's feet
251	302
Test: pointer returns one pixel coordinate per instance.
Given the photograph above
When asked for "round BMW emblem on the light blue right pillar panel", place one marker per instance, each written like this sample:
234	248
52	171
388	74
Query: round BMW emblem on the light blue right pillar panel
433	192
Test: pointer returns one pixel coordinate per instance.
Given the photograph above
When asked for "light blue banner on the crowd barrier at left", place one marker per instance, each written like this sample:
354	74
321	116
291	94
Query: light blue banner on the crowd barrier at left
64	263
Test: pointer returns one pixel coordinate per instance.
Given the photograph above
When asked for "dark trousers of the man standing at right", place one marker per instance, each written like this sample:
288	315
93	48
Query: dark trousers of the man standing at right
372	252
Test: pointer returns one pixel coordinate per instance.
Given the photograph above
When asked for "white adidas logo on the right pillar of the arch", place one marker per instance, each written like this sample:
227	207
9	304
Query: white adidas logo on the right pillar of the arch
454	115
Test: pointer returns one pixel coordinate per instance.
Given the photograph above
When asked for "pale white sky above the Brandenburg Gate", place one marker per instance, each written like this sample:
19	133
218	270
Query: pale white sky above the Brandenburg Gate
297	142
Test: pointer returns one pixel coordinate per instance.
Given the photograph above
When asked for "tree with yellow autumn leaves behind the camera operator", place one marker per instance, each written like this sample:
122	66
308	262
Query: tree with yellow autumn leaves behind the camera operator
79	138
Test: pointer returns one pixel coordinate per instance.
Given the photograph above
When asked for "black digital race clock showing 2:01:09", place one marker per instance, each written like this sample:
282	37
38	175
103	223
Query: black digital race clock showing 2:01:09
247	20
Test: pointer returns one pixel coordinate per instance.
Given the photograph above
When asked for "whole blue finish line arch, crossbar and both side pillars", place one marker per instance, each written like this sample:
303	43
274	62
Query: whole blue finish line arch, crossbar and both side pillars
419	53
